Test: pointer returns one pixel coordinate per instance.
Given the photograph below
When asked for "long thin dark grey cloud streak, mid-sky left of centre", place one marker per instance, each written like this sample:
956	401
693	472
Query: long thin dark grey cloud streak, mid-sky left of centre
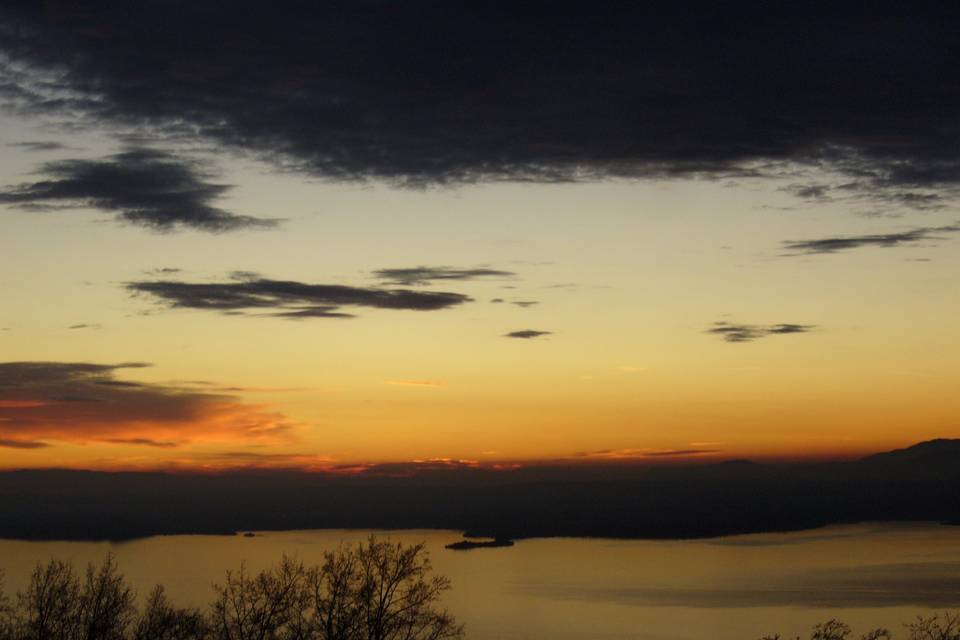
290	299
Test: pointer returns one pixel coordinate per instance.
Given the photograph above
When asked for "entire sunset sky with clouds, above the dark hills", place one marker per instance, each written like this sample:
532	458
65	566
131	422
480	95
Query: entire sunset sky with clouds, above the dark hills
478	234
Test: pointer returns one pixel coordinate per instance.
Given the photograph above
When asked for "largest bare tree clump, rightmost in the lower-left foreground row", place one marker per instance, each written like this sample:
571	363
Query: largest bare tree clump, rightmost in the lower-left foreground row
374	590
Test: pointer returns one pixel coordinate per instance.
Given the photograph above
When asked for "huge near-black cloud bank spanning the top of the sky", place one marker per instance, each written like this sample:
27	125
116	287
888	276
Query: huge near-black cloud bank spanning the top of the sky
535	91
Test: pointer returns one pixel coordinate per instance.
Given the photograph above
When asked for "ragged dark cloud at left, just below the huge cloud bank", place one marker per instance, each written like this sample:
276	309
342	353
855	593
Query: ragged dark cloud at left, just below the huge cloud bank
142	186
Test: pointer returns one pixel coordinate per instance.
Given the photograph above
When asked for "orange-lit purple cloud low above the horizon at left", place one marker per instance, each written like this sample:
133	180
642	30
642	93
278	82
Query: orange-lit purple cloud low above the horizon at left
82	402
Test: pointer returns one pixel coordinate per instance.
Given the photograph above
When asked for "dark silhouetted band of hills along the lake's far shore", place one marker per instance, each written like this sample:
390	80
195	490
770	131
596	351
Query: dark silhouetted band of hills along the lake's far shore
918	483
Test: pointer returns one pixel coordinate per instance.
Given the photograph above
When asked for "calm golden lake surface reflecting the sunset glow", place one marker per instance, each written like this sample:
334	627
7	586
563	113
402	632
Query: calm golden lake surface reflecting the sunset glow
723	588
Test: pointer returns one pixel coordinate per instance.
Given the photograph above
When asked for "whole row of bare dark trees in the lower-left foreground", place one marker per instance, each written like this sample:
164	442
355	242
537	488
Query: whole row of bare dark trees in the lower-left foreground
372	591
